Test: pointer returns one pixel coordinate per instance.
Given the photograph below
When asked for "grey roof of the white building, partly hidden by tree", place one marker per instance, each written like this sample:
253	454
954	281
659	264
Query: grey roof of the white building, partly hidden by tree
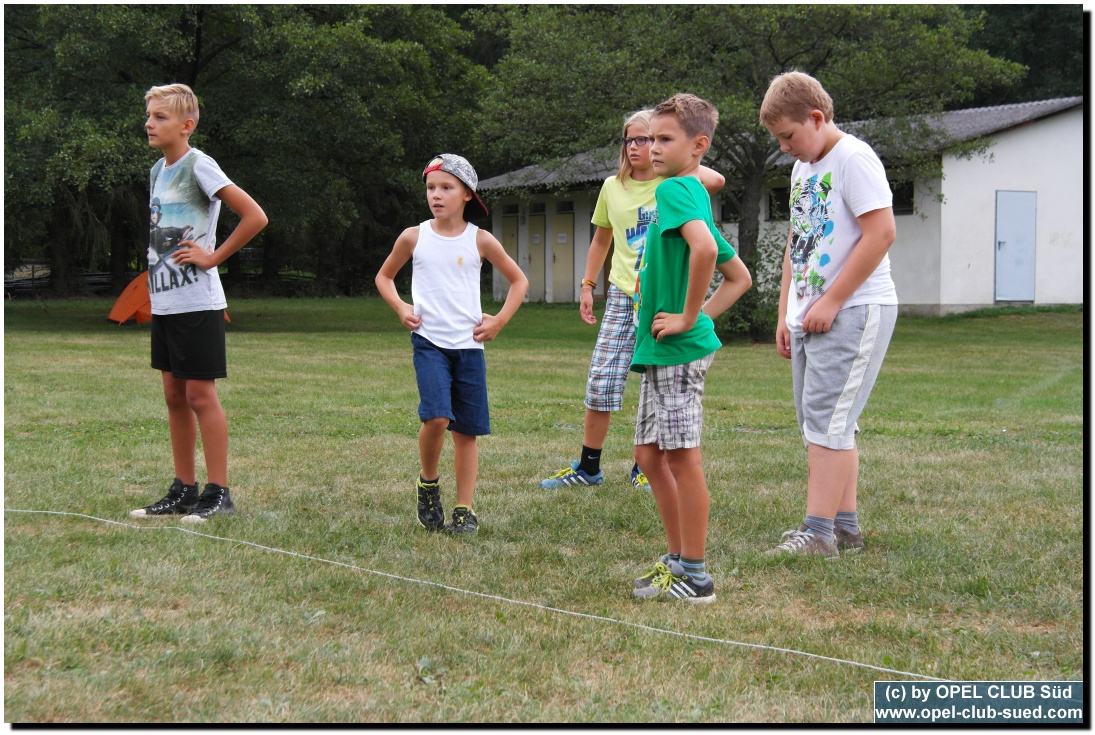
592	168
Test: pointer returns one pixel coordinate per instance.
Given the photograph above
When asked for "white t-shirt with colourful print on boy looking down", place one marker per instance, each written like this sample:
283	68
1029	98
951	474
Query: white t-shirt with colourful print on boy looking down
826	199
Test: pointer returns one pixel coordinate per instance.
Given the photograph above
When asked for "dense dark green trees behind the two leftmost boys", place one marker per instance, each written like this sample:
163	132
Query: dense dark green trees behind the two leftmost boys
324	113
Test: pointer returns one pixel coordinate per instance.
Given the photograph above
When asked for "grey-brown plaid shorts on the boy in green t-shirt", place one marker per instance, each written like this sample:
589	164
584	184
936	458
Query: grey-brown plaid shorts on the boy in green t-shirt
671	405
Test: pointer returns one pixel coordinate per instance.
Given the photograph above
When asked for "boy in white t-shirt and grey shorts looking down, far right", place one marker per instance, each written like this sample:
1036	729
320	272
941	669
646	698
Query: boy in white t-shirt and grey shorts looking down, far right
838	305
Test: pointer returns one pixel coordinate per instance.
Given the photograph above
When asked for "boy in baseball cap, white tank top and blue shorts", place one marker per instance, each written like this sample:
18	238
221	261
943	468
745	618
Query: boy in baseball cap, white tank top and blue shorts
448	330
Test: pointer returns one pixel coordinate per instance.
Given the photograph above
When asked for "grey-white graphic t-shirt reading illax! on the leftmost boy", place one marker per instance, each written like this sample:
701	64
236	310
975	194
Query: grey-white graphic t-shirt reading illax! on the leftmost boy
185	206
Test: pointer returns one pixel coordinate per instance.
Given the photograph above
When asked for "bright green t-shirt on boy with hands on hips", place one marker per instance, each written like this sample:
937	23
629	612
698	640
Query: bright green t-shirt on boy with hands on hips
664	274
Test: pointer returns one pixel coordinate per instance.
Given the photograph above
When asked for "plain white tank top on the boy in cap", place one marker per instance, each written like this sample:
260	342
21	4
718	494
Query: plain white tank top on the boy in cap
445	288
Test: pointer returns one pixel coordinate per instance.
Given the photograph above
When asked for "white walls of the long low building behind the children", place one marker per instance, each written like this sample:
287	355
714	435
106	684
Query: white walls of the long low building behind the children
944	257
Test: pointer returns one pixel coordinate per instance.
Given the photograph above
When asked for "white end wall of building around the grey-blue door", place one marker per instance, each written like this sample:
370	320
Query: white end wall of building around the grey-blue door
1044	157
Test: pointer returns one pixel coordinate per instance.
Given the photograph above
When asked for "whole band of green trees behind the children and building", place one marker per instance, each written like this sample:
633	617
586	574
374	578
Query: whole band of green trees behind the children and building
327	113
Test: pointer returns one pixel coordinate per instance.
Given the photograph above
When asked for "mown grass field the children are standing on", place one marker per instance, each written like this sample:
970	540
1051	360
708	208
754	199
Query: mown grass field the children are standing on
972	498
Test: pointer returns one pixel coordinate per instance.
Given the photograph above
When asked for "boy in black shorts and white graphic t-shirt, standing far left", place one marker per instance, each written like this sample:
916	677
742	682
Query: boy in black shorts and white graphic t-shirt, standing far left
187	189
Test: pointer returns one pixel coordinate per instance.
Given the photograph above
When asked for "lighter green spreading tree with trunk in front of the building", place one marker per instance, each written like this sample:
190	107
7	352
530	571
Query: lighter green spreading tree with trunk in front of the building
571	75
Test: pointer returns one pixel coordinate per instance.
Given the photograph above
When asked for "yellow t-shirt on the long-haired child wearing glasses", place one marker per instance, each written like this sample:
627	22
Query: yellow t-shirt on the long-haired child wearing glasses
627	212
